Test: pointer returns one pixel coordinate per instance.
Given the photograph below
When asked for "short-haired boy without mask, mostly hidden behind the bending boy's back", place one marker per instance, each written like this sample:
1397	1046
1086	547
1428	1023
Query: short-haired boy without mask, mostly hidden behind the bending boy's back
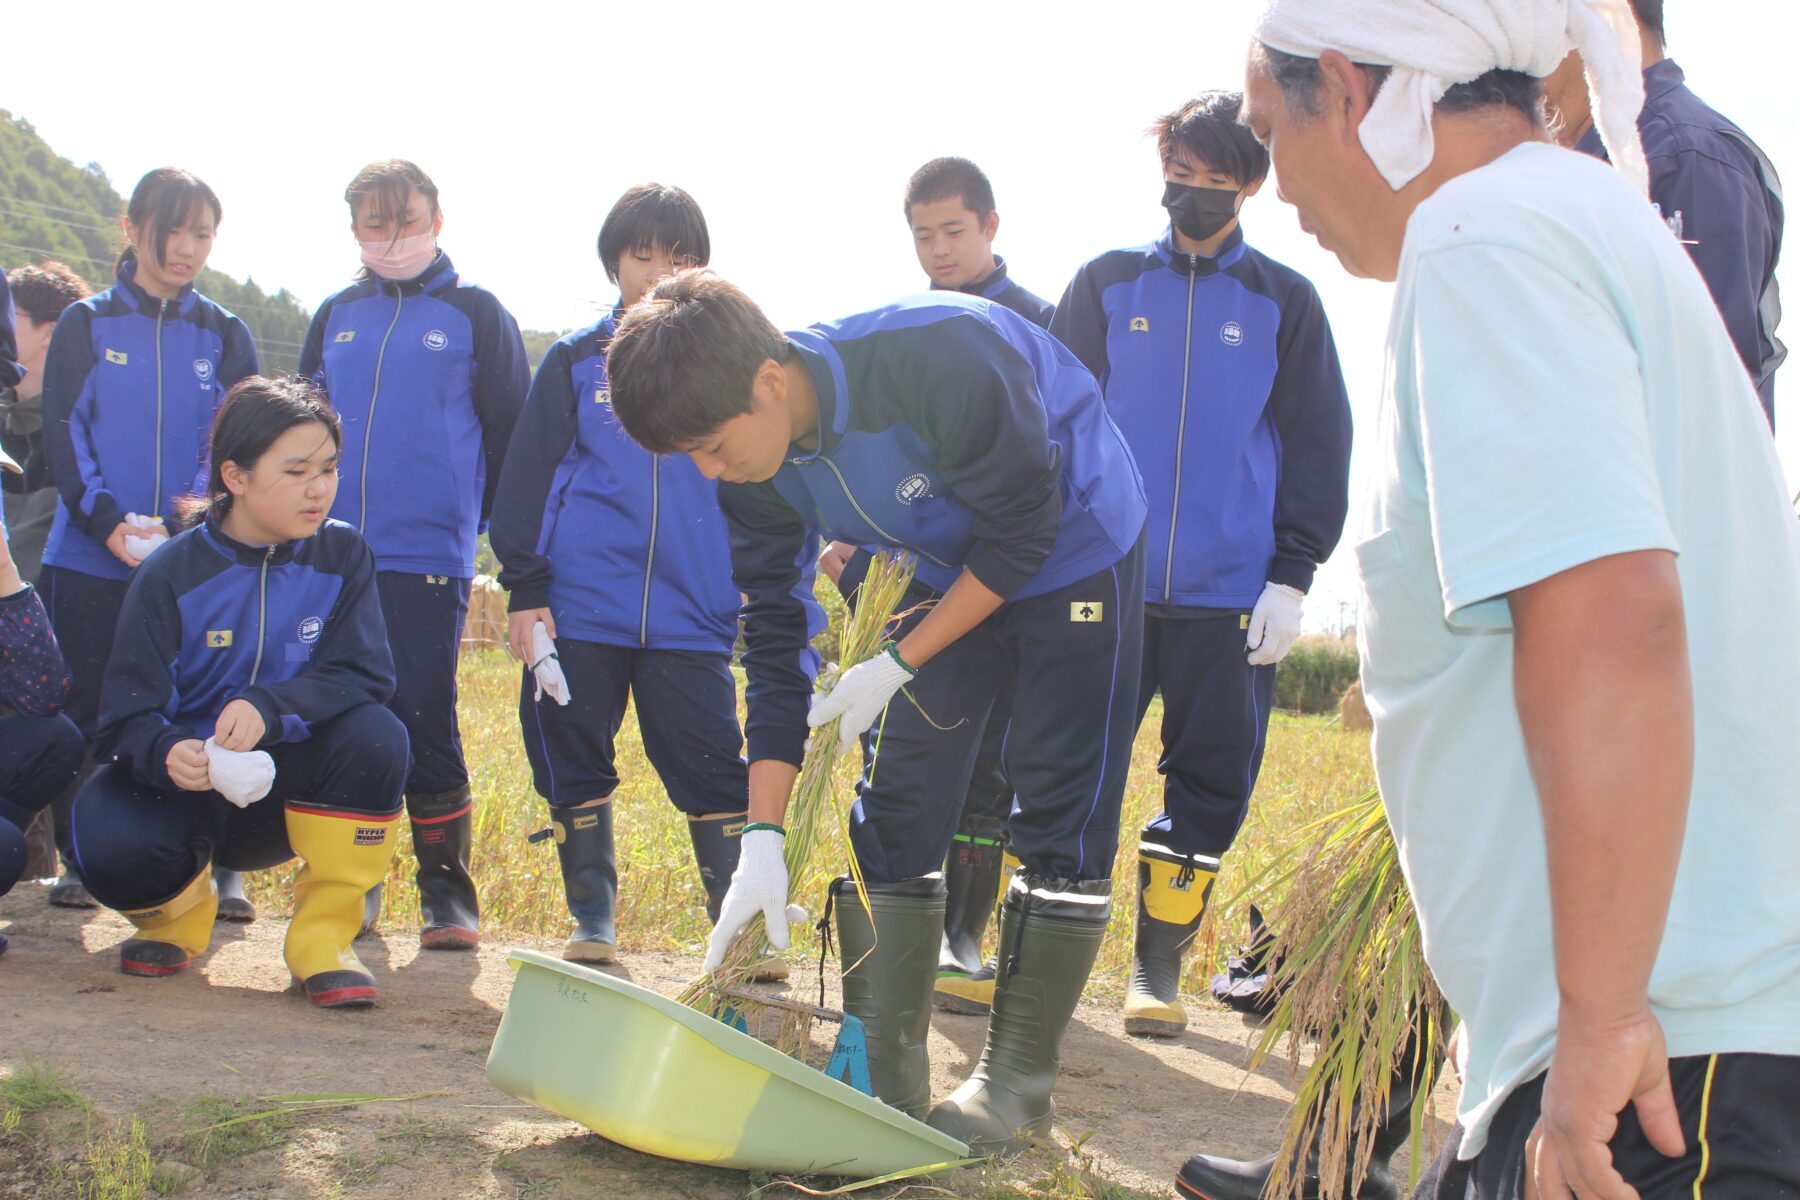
951	211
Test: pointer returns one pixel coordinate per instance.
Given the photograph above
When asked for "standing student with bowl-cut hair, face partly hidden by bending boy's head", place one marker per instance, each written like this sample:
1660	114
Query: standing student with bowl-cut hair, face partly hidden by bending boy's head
622	559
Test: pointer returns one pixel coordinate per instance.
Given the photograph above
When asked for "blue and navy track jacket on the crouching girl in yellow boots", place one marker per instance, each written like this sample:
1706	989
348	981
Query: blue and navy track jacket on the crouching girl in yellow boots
294	629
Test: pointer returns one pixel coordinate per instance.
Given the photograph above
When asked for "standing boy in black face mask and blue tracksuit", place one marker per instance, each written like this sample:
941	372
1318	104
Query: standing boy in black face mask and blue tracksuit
1221	372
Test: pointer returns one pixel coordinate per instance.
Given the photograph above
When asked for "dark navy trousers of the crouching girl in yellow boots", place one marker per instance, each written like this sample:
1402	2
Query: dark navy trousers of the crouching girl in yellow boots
138	846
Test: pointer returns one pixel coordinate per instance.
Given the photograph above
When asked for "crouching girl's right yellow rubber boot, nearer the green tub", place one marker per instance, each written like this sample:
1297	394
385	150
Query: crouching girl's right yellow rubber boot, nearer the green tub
345	855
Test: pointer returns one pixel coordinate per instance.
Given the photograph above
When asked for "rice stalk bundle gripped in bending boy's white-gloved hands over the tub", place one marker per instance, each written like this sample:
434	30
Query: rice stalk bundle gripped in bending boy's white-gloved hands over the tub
867	631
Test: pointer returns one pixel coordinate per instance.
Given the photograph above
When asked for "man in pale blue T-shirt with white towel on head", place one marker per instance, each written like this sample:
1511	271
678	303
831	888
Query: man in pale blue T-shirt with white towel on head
1581	607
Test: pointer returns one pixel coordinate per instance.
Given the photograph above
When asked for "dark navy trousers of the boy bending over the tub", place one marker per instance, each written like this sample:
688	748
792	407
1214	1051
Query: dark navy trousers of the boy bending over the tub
1072	658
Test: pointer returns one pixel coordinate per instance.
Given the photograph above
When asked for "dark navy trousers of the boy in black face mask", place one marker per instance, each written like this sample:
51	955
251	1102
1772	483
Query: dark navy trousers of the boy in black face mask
1216	726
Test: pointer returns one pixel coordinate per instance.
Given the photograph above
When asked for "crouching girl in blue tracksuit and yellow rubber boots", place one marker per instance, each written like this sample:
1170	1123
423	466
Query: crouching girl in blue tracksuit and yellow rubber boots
256	631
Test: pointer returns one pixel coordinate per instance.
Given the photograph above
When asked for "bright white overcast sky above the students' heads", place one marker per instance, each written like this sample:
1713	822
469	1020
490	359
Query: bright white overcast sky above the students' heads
795	125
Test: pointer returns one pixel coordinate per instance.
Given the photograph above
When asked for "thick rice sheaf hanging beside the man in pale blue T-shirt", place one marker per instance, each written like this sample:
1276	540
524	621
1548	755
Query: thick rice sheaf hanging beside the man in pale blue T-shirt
1351	976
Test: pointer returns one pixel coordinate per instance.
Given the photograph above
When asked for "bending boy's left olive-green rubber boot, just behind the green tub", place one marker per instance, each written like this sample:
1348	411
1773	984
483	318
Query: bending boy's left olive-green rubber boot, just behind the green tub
888	974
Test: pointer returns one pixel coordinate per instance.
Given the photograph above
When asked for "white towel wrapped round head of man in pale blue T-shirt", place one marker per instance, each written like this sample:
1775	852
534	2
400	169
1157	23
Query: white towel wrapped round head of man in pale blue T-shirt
1437	44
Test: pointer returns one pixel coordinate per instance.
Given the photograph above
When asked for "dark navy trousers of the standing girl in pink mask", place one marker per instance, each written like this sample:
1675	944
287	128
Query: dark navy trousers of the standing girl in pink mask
424	620
